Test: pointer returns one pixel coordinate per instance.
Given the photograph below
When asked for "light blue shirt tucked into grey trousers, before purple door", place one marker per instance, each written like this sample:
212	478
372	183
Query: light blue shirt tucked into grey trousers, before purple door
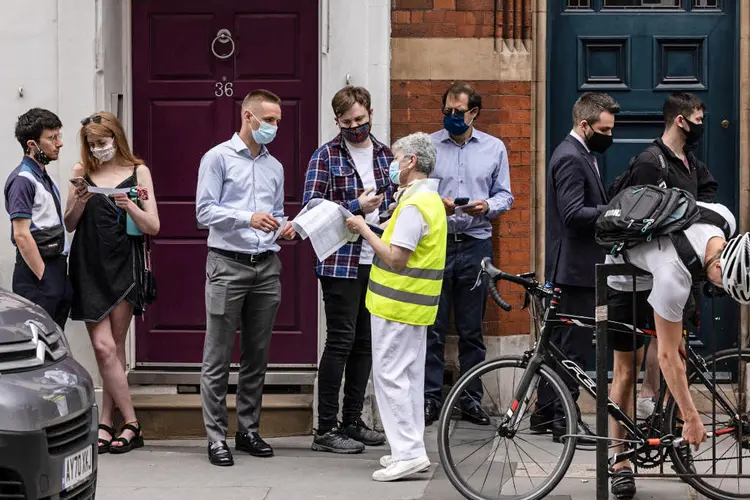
232	186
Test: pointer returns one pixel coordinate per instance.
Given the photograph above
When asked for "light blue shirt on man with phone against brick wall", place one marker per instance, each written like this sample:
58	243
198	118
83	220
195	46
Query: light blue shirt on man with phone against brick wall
479	170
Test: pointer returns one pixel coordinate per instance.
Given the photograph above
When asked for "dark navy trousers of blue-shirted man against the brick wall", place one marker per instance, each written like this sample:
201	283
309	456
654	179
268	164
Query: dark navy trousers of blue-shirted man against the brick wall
462	265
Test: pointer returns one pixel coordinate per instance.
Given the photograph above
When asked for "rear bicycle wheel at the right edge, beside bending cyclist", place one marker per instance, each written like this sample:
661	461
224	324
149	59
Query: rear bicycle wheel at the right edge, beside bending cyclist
727	454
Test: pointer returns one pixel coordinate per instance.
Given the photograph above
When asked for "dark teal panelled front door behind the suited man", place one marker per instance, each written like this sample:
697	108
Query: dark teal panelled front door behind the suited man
639	51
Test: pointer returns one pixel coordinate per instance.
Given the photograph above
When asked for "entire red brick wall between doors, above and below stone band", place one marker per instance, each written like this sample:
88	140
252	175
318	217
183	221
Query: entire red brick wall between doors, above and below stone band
506	113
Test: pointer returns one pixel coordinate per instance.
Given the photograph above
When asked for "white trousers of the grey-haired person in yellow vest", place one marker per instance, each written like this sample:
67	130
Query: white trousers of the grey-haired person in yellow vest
398	354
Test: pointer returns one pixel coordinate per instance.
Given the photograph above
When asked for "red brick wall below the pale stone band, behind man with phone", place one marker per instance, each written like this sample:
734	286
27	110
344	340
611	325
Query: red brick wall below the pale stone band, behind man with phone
506	113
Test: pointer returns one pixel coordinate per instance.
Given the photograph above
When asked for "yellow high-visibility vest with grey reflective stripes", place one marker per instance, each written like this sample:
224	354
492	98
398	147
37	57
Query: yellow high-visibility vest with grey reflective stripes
412	295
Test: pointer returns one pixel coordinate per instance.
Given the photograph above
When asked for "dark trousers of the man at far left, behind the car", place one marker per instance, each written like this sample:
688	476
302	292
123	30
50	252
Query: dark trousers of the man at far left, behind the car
53	292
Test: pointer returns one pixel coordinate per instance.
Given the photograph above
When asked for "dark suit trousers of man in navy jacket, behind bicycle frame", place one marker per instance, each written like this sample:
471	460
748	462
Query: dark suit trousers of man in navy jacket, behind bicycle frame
574	341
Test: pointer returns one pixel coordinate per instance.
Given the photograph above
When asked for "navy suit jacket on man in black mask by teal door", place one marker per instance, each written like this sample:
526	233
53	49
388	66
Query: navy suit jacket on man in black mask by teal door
575	198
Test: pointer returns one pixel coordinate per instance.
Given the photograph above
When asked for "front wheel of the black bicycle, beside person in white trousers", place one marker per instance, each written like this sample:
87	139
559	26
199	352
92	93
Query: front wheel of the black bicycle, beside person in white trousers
488	462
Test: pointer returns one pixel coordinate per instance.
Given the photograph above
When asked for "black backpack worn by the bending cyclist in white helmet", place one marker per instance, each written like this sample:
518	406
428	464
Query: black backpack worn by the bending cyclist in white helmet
638	214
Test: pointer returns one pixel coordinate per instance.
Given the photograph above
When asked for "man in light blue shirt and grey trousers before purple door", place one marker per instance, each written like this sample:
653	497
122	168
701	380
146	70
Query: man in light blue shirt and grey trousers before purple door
240	197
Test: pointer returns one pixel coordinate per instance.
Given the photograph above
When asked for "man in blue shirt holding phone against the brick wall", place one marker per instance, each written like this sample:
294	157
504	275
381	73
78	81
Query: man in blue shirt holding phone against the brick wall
475	186
